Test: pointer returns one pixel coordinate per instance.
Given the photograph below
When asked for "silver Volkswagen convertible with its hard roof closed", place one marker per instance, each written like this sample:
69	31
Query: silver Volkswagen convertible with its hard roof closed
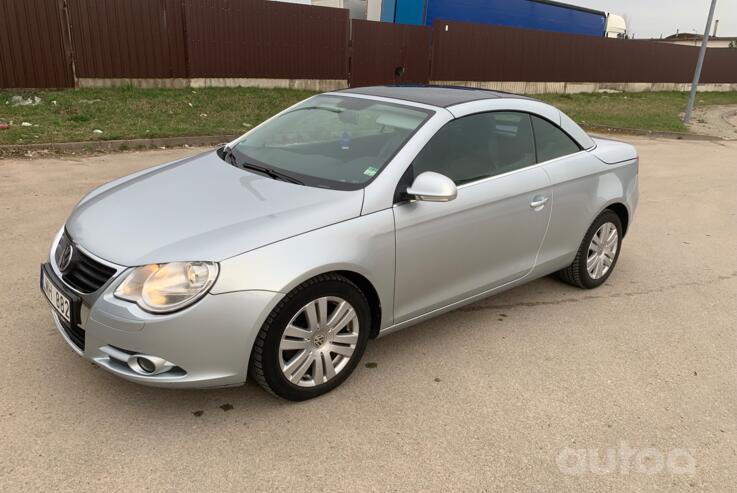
343	218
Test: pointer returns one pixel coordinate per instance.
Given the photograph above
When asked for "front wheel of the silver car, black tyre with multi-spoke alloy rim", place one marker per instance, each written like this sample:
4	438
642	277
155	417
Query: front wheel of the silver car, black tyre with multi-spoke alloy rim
279	356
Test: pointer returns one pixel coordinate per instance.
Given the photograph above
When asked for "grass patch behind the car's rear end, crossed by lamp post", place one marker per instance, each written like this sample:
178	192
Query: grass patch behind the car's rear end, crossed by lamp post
657	111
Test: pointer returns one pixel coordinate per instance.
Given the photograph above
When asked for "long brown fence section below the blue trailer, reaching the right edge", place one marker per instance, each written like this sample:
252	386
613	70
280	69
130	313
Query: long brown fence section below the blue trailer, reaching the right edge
476	52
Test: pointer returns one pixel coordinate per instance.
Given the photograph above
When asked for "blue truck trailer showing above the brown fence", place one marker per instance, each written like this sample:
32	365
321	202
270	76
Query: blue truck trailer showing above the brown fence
529	14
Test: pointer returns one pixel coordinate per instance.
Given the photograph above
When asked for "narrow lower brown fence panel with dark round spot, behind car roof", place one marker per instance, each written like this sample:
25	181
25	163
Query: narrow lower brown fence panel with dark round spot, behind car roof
378	48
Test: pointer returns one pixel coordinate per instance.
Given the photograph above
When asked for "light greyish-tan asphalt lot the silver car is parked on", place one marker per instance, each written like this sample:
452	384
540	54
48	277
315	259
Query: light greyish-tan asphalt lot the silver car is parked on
536	389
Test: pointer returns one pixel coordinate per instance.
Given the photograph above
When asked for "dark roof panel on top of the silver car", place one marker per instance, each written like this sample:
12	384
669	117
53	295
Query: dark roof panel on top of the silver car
443	96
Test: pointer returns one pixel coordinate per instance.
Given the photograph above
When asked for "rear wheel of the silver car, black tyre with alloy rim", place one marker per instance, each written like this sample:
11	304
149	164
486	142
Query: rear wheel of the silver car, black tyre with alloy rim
577	274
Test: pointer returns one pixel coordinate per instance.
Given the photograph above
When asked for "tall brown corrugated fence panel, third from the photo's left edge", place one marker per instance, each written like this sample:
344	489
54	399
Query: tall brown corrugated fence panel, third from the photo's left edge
253	38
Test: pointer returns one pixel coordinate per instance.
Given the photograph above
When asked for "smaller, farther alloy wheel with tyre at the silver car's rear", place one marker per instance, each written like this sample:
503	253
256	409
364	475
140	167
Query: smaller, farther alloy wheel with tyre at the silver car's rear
597	256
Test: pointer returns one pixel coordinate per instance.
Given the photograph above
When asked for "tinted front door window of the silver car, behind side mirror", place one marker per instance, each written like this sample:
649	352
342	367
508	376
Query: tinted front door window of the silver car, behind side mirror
479	146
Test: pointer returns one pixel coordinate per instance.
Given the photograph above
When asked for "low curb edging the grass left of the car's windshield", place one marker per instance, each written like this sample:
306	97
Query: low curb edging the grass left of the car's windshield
93	146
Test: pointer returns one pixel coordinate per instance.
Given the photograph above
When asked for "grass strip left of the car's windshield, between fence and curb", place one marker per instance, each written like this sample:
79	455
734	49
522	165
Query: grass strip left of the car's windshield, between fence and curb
73	115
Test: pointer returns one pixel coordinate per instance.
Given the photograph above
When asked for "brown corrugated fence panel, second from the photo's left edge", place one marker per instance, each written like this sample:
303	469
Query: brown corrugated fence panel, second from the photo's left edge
128	38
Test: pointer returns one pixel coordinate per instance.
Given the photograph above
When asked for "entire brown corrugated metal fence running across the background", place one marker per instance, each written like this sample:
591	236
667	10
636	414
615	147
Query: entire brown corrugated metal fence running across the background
43	43
